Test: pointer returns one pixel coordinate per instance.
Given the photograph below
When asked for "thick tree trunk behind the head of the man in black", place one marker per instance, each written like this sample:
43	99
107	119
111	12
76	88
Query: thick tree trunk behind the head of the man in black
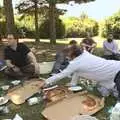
10	24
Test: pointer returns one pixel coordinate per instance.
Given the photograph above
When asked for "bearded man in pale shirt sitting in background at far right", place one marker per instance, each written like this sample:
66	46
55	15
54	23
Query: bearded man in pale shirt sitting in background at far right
110	48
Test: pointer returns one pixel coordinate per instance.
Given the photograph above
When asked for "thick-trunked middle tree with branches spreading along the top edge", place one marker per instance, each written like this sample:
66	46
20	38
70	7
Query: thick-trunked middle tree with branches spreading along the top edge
52	12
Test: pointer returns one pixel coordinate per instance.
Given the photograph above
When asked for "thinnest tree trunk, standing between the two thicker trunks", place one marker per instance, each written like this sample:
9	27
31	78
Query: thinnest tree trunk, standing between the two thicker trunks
36	21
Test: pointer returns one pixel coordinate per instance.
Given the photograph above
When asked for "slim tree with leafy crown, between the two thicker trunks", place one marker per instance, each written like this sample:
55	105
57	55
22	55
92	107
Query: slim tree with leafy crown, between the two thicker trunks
31	7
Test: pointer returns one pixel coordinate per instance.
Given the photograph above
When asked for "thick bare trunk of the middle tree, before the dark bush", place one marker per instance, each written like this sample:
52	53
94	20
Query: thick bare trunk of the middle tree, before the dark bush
52	22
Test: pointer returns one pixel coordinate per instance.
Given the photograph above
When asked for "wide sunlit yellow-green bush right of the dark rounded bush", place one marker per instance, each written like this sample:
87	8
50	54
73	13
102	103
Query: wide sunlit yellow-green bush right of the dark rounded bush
78	27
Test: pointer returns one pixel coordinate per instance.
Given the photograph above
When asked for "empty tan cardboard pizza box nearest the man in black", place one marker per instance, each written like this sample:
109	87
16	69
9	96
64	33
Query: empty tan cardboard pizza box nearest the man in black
21	93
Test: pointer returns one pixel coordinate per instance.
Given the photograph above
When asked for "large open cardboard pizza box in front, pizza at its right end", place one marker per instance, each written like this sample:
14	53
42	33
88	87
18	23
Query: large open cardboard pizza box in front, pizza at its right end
73	105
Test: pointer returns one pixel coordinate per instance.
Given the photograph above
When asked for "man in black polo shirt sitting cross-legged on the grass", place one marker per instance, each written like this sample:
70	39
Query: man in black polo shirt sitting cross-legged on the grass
21	62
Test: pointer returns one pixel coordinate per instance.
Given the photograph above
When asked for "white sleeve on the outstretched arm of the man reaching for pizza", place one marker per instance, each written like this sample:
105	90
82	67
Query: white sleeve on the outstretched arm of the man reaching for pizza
68	71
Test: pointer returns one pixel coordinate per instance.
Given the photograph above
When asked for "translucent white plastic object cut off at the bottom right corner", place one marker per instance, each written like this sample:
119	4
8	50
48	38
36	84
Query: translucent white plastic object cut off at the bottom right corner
115	112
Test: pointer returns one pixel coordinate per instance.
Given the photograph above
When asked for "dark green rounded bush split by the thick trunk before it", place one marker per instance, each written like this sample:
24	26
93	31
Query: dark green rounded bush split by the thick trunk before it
45	30
